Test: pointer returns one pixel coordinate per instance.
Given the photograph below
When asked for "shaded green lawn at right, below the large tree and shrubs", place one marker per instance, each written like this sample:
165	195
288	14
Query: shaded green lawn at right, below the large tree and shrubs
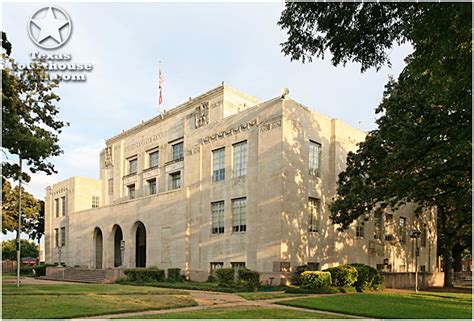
425	305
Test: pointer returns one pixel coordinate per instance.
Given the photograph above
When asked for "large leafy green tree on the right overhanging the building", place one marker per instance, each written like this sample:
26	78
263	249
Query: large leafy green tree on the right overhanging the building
421	150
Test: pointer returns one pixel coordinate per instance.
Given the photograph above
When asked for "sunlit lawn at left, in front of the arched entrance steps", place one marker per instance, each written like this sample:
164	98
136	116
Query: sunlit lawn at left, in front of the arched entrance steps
80	300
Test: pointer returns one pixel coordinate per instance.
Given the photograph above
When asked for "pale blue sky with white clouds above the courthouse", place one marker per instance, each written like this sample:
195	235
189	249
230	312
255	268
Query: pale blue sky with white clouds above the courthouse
199	46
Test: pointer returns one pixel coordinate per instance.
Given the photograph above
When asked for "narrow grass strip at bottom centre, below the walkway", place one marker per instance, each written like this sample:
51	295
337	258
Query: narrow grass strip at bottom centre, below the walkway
239	312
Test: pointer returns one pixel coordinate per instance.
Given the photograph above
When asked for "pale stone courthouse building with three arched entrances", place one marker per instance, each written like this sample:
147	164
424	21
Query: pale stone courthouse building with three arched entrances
226	180
